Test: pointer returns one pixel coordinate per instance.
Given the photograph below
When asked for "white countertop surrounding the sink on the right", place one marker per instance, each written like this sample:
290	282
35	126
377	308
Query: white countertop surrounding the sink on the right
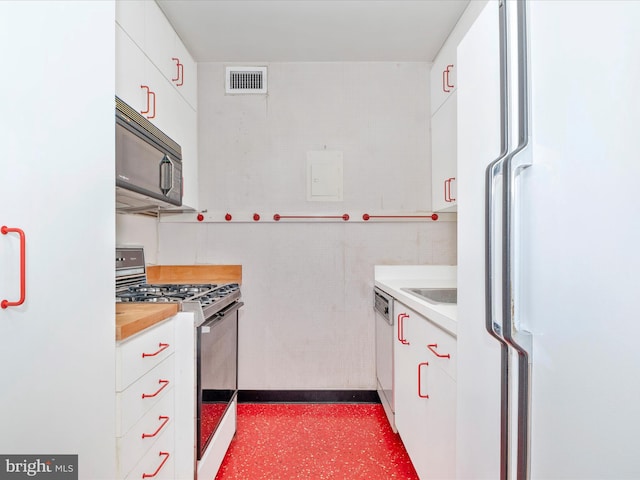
393	278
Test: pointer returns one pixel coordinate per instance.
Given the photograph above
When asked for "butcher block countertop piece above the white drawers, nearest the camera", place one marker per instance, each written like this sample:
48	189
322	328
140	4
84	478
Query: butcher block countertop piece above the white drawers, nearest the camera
132	318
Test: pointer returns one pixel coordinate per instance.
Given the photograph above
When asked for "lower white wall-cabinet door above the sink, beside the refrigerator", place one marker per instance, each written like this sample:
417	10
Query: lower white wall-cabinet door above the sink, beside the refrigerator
444	157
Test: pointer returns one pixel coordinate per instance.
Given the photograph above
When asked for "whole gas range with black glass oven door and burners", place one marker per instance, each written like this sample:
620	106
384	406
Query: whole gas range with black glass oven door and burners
216	338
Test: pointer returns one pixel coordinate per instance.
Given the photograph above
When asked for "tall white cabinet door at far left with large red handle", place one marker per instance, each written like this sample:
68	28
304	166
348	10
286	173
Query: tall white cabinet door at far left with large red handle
57	348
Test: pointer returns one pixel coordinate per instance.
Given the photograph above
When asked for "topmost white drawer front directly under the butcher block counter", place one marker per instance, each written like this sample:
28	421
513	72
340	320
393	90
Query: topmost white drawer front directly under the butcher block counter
139	354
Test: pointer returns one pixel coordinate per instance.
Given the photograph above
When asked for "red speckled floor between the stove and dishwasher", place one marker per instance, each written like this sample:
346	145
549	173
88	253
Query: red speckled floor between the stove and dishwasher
314	442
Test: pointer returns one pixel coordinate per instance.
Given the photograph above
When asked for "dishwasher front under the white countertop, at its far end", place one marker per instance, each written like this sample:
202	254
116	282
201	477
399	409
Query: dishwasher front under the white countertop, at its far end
383	307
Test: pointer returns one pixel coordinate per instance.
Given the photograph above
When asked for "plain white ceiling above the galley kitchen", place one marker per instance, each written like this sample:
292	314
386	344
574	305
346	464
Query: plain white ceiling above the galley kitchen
313	30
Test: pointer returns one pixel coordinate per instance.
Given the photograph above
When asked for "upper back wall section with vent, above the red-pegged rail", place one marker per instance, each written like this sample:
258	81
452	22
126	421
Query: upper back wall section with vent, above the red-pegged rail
253	148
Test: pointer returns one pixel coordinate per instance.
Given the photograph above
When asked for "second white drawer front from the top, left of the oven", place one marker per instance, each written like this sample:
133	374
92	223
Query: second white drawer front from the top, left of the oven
139	398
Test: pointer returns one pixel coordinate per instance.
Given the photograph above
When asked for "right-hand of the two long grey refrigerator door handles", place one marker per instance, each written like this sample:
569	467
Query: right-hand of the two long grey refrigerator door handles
514	164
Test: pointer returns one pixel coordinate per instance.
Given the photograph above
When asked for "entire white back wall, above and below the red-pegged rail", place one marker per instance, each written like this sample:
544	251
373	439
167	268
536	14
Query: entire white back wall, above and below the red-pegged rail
308	321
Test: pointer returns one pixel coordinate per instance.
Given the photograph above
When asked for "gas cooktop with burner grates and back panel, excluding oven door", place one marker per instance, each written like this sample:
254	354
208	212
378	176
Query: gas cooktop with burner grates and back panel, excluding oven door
205	300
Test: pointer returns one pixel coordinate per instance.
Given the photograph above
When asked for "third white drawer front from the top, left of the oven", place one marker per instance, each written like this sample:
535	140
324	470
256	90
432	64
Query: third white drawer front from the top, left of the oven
158	421
